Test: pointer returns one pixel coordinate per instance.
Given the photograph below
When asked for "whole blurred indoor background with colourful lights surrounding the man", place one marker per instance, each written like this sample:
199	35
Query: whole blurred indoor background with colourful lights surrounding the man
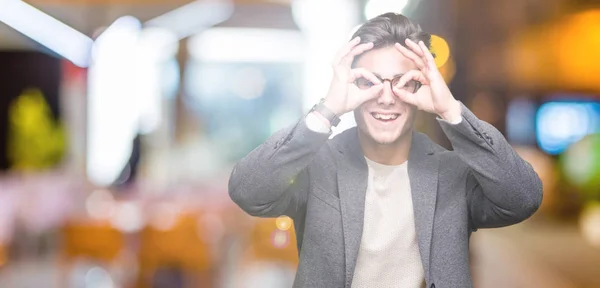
120	122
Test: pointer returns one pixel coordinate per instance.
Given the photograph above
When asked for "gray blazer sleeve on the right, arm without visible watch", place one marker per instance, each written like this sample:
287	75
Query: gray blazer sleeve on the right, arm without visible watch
502	188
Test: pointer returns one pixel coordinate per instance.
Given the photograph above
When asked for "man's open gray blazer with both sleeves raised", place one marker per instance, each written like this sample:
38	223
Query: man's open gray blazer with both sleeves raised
321	185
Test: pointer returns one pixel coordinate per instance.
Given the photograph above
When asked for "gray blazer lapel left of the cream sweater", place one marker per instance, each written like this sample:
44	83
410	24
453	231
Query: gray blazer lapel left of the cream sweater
352	186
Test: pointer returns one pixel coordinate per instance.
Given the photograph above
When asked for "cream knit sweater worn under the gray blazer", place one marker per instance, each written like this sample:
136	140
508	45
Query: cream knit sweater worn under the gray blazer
389	254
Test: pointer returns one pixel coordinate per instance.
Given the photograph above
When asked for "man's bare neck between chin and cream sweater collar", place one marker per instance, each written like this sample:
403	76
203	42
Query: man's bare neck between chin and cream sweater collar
394	153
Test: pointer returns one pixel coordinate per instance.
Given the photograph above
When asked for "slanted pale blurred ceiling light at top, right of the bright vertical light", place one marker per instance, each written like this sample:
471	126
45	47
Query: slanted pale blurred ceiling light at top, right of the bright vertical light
193	17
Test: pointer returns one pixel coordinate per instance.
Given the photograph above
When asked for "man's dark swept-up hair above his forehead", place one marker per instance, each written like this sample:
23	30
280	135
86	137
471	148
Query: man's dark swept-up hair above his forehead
390	28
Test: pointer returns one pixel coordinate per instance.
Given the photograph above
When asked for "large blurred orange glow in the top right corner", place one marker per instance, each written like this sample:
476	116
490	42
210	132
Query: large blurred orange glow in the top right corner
569	45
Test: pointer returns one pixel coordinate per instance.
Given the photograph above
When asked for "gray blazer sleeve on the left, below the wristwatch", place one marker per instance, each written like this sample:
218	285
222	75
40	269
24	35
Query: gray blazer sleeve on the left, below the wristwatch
272	180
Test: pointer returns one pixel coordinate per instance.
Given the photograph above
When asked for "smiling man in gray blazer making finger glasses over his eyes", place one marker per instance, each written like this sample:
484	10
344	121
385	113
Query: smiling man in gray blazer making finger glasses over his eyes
381	205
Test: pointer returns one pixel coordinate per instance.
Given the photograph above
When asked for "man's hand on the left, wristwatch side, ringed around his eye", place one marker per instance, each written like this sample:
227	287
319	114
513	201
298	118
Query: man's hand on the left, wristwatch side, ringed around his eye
343	95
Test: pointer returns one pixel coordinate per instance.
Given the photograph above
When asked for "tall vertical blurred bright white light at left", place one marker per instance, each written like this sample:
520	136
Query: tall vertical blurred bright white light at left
113	108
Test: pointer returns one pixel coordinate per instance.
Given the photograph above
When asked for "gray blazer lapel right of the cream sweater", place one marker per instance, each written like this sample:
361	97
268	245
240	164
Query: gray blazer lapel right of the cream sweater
423	175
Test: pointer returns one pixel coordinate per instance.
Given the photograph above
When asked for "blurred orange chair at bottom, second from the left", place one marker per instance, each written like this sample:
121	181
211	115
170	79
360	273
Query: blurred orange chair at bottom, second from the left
178	250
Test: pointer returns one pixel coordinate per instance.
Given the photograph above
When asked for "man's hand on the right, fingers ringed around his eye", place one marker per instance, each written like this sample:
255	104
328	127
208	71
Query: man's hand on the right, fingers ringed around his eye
434	96
